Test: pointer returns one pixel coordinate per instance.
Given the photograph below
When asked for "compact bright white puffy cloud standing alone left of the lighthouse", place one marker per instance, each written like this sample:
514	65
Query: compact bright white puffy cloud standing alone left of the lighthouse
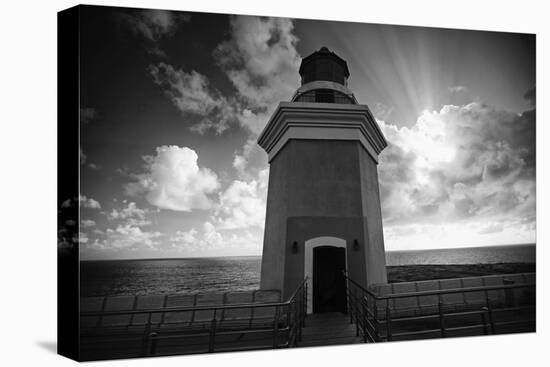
172	179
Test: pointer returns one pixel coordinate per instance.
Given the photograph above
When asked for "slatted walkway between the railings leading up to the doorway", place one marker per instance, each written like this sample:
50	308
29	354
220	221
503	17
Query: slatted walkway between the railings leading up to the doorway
330	328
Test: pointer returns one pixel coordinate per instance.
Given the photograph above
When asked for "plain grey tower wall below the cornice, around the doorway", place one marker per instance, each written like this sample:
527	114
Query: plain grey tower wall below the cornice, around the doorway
322	188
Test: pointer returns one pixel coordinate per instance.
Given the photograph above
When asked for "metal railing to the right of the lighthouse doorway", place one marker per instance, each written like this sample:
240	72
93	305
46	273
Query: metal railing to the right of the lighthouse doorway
376	319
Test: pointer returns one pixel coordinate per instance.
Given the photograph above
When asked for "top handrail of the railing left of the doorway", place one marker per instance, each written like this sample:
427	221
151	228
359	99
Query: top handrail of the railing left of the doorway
198	307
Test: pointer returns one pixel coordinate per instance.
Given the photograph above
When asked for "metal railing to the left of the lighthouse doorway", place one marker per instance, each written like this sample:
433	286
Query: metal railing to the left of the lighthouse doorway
278	323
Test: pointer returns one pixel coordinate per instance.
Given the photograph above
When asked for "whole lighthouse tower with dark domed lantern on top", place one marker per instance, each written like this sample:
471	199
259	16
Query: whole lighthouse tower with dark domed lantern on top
323	204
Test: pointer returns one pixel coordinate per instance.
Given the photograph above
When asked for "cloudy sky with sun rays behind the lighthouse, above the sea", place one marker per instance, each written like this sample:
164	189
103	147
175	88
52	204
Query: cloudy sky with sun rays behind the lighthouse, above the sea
172	104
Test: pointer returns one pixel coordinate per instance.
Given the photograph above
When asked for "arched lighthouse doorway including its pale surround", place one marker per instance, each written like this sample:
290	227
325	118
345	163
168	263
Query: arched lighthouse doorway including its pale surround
325	258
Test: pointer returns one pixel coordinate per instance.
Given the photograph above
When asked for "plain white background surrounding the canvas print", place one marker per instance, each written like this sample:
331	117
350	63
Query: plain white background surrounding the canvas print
28	182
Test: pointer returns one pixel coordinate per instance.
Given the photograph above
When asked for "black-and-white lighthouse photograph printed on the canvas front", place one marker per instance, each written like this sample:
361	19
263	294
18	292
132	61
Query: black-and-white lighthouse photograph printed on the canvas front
251	182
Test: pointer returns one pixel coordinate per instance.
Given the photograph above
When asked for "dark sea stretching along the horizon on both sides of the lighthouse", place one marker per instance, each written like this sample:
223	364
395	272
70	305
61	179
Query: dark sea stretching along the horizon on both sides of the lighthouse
191	275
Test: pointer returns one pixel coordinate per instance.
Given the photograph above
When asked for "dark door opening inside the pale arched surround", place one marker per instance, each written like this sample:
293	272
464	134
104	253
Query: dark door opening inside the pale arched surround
329	284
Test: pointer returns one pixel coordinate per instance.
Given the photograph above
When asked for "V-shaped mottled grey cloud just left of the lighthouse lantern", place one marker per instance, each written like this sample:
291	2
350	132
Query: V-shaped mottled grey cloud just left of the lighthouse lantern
260	60
